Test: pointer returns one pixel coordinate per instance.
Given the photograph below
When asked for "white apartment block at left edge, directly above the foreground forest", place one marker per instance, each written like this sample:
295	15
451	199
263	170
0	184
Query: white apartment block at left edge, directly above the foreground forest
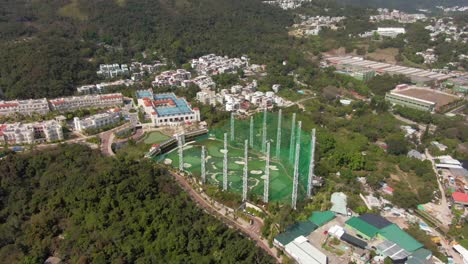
19	133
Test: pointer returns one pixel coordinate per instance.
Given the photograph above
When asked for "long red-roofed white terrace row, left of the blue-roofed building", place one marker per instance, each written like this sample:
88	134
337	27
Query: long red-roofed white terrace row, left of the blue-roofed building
86	101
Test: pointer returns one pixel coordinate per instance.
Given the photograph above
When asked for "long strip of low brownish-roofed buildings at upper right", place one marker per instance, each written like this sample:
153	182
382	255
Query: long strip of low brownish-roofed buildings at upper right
416	75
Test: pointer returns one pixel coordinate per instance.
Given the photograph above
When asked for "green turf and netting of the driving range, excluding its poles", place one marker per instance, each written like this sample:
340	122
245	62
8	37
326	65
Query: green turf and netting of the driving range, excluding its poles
281	159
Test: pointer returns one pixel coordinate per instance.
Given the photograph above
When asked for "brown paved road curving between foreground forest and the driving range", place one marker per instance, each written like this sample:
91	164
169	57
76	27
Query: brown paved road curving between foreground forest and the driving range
253	231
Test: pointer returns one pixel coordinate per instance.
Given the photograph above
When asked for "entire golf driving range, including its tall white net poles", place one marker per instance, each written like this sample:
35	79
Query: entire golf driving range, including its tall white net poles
267	155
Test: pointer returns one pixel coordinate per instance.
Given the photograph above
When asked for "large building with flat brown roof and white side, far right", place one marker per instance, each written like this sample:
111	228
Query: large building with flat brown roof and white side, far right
424	99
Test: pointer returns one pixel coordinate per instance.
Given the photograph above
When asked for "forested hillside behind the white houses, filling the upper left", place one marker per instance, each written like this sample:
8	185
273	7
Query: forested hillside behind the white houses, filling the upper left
48	47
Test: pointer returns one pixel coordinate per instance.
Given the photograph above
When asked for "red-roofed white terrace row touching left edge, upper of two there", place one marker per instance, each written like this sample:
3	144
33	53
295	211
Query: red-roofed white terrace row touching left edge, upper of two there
26	107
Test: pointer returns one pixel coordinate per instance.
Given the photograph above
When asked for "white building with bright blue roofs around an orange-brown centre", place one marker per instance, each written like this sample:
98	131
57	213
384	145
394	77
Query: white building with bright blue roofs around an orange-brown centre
166	109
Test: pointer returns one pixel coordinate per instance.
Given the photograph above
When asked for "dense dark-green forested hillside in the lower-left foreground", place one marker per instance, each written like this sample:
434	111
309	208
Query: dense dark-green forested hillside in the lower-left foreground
84	208
